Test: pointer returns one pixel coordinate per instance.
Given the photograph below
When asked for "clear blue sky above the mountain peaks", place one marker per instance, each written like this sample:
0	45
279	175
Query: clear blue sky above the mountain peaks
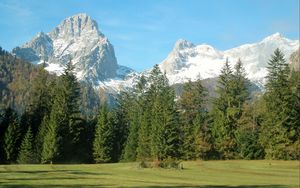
143	32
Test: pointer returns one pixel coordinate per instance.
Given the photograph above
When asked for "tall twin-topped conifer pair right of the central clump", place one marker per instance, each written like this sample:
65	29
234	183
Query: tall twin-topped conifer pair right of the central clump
232	93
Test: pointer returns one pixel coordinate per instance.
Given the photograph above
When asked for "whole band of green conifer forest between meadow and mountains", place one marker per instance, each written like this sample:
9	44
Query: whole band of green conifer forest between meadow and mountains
149	123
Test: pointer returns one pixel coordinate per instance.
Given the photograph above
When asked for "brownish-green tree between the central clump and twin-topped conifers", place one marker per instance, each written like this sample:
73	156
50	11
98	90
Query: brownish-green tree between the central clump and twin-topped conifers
193	114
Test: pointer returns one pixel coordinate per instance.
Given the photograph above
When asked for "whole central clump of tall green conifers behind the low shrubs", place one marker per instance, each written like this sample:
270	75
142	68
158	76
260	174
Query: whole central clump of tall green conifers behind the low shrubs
152	120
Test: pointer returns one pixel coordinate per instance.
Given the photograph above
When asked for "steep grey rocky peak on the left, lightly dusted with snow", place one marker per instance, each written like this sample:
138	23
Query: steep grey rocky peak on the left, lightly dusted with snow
77	38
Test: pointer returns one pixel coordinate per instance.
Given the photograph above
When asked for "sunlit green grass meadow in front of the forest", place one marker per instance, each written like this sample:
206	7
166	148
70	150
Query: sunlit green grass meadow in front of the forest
206	174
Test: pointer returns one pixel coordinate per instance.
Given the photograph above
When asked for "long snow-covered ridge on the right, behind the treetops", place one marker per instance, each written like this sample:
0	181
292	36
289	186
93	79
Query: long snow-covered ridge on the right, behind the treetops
188	61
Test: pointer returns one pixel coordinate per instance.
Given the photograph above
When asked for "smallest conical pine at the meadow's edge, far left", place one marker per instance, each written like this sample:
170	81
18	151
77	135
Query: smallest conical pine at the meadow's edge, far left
26	154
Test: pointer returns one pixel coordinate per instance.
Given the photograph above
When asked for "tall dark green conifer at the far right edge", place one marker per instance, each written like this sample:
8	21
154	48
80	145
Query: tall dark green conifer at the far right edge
280	127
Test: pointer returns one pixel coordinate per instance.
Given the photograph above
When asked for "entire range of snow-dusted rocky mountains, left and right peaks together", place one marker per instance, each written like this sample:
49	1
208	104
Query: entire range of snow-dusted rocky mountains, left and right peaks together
78	38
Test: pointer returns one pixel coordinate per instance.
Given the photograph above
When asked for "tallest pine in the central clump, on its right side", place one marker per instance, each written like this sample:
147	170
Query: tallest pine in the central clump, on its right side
164	125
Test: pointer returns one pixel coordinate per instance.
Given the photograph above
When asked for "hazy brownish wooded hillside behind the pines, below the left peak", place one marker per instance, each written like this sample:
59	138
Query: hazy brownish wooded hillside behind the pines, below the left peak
16	81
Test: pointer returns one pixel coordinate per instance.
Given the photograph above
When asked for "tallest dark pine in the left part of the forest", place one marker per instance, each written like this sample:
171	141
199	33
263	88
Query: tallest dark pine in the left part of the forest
64	120
